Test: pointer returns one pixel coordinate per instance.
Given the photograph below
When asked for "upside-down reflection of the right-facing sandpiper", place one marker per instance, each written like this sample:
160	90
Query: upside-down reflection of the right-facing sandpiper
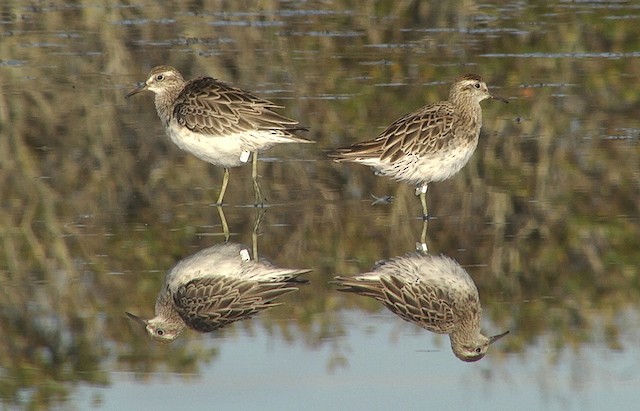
434	292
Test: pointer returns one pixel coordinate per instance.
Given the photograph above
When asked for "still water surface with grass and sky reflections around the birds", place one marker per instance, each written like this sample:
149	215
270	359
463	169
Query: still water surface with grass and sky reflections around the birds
97	204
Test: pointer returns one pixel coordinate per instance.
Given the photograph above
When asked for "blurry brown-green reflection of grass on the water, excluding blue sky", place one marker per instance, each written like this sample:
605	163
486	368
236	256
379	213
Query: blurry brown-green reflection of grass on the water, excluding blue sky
546	211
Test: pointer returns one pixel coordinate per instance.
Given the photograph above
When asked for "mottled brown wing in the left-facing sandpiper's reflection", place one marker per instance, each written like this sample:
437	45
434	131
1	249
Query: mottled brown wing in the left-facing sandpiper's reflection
211	303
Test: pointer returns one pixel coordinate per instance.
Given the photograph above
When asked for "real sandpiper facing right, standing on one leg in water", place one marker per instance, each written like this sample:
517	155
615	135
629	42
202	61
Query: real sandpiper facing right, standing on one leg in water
431	144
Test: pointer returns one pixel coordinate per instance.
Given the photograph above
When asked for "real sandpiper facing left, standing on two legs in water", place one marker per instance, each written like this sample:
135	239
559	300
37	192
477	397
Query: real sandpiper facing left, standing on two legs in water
216	122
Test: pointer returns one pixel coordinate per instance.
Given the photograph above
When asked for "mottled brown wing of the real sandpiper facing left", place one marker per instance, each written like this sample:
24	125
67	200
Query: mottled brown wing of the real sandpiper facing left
211	107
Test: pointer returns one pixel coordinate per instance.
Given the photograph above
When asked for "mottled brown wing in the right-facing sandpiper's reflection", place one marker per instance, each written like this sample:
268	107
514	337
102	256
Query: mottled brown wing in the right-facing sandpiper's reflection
420	303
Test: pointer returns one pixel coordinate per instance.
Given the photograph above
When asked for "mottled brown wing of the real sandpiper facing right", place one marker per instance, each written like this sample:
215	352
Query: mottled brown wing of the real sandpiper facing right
421	132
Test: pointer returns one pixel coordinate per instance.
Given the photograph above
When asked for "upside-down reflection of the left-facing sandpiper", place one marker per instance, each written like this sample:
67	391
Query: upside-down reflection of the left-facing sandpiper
215	287
